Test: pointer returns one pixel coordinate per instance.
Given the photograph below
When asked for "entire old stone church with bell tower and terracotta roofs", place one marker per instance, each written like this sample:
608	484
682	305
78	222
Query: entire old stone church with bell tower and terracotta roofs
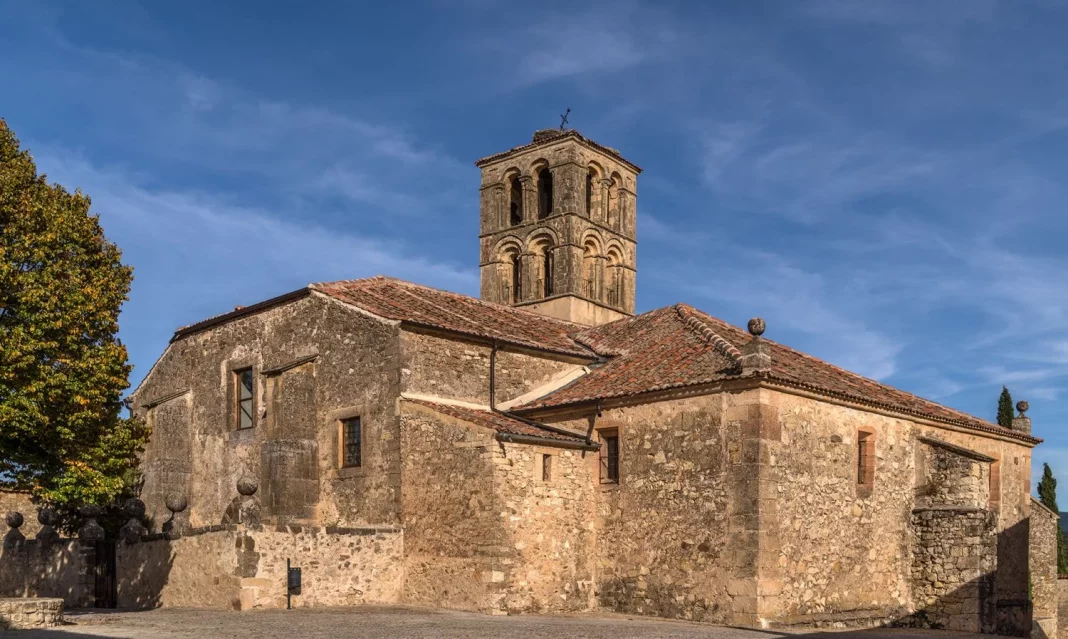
544	449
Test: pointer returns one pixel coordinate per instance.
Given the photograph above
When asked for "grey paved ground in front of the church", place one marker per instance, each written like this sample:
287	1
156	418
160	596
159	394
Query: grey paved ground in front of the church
375	622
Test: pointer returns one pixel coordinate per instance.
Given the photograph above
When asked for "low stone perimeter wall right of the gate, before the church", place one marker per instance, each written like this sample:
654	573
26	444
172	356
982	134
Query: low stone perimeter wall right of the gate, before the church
246	568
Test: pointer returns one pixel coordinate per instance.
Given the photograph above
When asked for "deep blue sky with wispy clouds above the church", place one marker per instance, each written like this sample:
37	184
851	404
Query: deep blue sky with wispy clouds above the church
883	182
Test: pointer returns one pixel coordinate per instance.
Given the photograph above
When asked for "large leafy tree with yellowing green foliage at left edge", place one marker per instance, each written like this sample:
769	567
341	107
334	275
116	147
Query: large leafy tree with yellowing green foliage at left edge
62	368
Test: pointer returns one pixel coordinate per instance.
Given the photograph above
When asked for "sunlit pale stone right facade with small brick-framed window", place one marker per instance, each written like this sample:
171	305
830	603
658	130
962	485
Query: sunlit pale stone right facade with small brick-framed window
845	554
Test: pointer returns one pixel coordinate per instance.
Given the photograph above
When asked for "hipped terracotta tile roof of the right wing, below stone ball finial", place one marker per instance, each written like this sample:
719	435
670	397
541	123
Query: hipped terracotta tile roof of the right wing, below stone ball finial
680	347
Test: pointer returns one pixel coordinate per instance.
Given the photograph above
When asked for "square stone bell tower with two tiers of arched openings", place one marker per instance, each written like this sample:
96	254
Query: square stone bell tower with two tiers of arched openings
558	228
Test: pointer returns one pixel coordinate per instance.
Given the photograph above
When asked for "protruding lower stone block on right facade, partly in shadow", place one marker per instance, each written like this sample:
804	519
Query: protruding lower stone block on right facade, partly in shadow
954	564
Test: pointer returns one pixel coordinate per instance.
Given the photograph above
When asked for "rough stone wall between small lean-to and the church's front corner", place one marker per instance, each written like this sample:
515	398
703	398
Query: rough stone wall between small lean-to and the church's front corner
665	544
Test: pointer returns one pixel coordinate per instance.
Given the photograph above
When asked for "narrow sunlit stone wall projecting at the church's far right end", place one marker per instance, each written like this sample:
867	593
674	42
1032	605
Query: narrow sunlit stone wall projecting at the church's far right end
1043	532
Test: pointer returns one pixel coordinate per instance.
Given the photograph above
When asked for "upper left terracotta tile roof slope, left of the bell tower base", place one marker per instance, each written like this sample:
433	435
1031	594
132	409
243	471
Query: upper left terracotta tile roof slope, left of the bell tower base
422	306
